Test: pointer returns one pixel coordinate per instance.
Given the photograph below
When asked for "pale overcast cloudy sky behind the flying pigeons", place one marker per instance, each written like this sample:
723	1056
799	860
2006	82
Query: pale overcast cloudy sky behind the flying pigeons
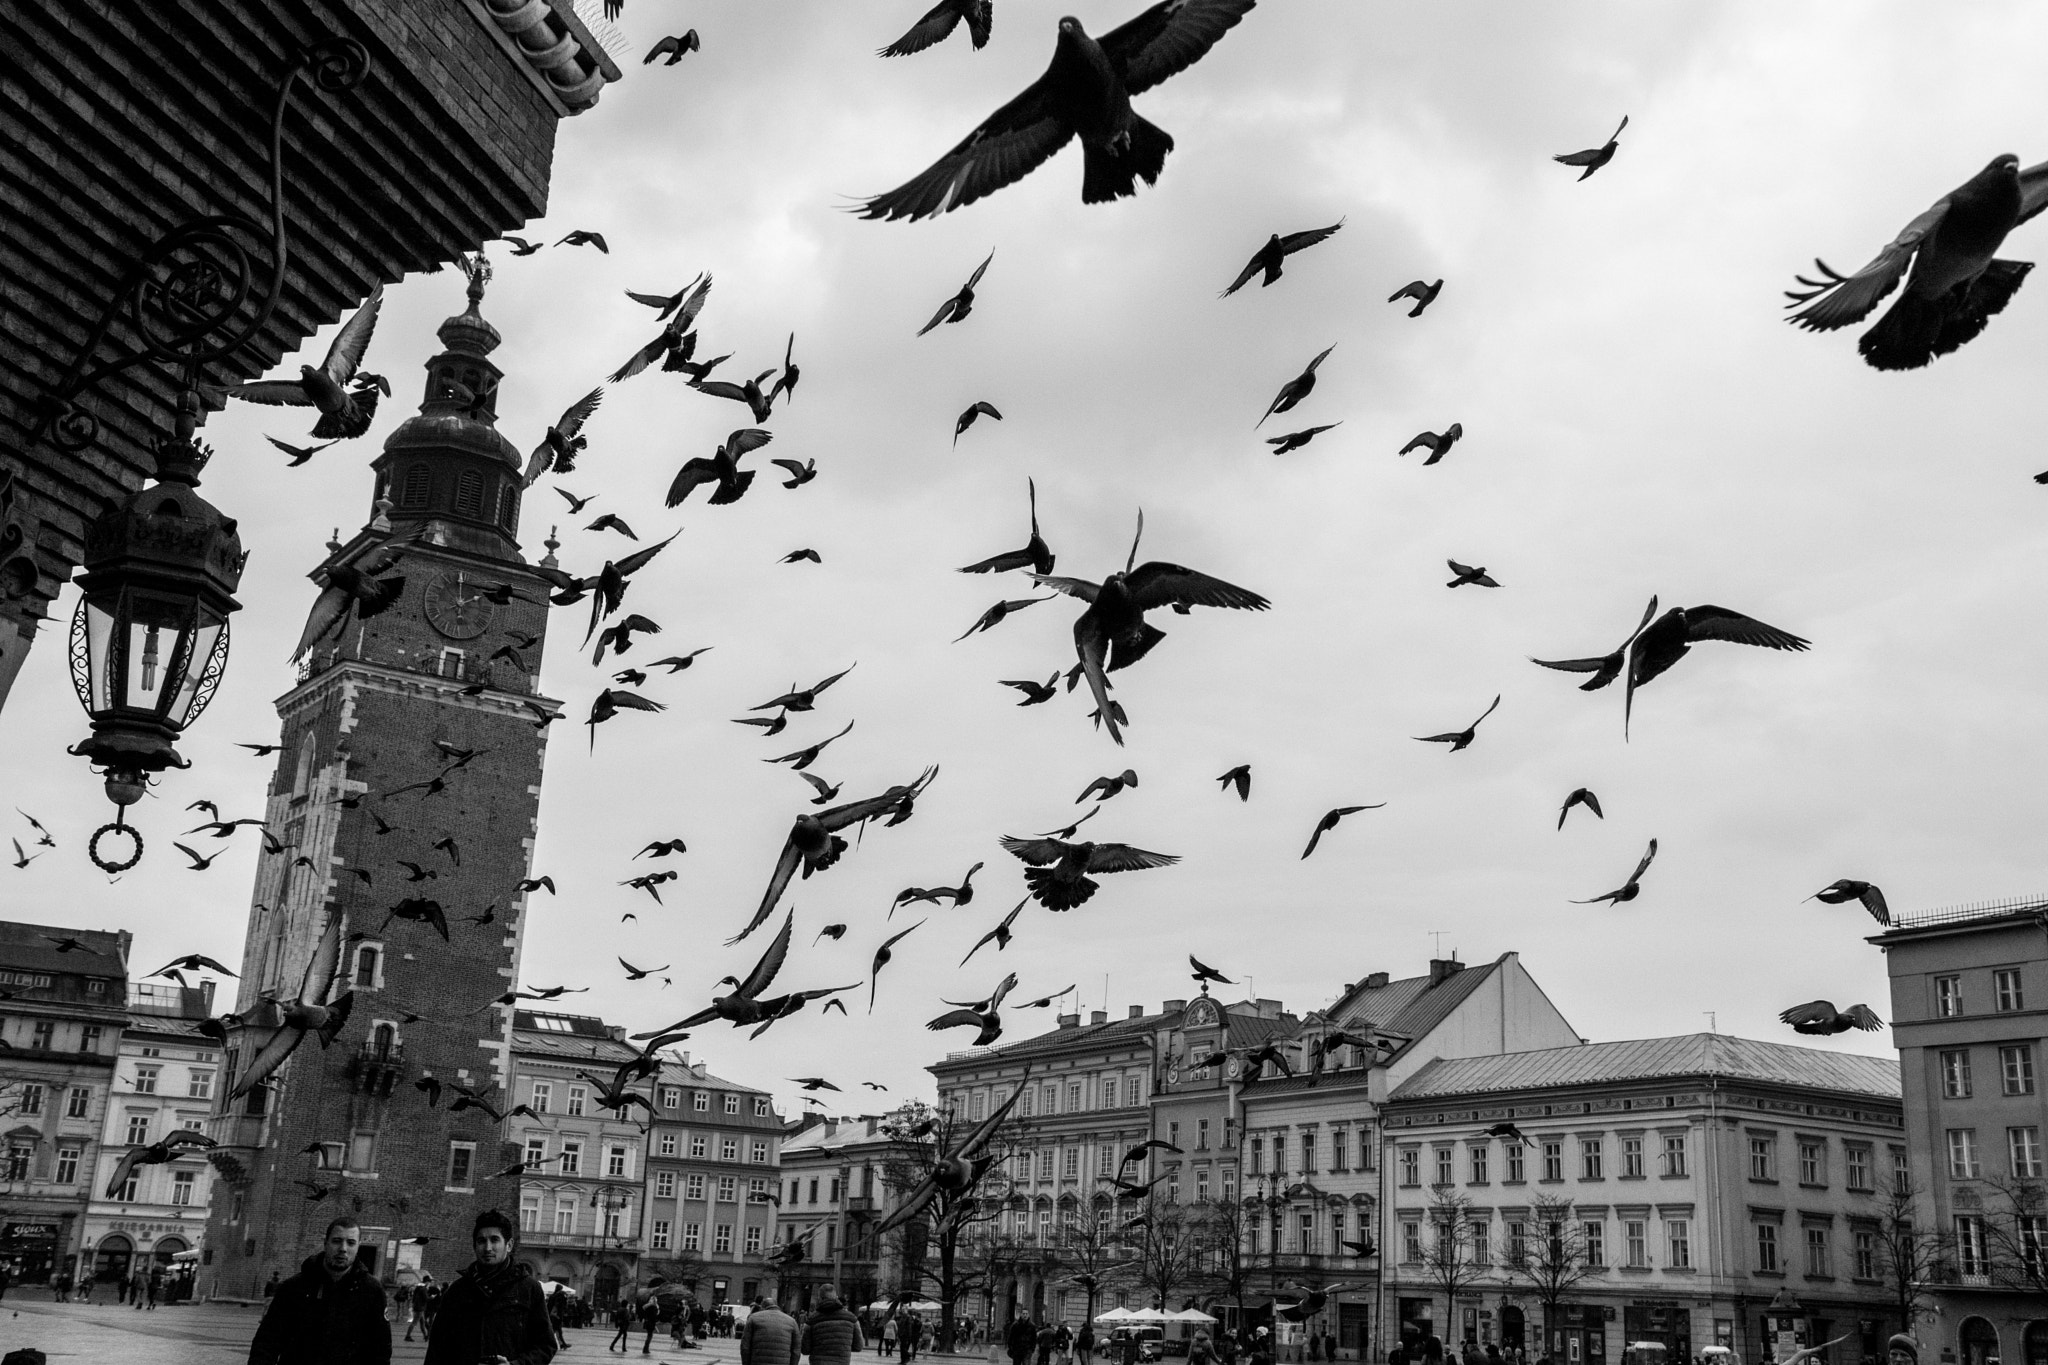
1639	421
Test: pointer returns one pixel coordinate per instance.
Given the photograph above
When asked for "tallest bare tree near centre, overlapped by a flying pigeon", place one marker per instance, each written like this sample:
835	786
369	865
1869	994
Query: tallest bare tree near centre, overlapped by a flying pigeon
931	1243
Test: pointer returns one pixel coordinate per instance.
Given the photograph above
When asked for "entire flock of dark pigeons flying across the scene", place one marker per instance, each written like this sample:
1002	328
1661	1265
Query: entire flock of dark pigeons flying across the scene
1953	285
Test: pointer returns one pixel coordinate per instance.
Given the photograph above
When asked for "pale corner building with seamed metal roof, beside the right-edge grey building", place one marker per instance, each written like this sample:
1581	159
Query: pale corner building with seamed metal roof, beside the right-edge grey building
1664	1190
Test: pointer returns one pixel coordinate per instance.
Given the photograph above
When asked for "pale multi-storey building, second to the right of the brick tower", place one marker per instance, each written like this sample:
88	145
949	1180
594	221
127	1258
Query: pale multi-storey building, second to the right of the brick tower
712	1182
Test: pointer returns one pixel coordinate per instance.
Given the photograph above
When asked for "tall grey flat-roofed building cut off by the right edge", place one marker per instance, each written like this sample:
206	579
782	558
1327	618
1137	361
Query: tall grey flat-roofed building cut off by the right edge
1971	1022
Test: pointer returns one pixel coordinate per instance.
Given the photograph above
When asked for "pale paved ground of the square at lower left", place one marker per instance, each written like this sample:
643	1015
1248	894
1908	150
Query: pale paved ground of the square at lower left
220	1335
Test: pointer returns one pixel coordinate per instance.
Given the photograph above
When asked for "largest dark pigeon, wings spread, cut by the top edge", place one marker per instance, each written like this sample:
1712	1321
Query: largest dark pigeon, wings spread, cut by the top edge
1084	95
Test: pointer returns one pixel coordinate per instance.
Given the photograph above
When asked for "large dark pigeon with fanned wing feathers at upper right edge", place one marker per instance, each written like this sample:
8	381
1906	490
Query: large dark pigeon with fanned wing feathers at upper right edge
1957	279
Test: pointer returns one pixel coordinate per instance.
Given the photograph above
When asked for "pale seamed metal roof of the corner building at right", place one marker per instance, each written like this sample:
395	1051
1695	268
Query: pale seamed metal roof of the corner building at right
1648	1059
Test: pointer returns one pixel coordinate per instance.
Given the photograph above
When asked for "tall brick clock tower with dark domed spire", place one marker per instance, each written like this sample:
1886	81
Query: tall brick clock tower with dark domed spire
411	773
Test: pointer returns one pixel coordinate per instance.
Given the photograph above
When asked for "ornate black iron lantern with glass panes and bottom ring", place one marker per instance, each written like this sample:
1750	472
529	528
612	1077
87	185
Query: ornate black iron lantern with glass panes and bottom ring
151	635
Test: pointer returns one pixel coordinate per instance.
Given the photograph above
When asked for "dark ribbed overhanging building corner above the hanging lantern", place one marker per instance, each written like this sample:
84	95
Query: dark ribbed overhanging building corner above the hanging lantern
132	120
